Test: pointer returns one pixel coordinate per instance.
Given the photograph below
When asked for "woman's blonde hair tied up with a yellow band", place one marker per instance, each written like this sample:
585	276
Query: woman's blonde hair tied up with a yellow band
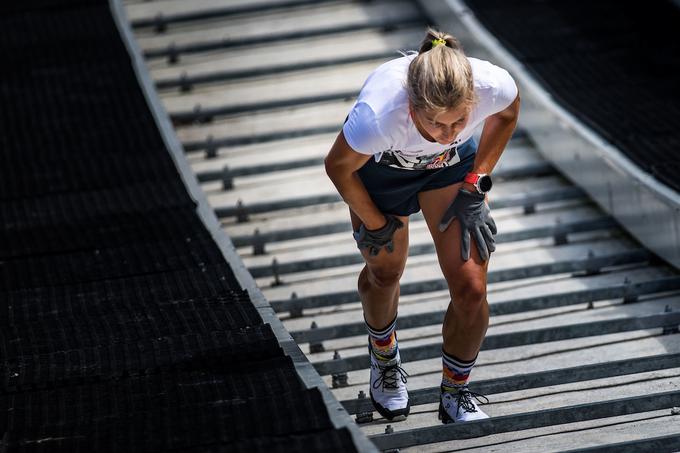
440	77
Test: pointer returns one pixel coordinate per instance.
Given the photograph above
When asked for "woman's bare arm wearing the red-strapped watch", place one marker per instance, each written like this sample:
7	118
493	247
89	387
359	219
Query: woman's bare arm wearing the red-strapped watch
496	134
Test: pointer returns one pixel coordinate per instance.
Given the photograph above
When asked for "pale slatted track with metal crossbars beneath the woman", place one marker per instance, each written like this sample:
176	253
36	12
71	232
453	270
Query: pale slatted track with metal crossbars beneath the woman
583	341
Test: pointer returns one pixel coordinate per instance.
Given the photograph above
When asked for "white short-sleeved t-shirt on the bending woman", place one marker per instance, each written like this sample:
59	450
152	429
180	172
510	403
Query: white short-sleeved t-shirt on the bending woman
379	120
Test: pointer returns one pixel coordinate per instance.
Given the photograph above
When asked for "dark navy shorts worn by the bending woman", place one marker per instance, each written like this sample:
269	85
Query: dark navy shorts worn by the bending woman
395	191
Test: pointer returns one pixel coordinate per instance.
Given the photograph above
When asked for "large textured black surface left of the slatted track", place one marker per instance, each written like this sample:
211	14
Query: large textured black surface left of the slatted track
122	328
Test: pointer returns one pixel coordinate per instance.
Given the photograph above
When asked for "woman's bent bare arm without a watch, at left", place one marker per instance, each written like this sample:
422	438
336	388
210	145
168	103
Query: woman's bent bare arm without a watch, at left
342	163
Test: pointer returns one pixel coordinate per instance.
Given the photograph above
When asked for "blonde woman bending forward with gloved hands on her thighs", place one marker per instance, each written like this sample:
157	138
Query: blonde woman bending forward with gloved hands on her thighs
407	145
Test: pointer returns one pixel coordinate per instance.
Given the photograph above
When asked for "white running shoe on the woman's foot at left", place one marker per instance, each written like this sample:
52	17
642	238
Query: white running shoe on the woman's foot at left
388	388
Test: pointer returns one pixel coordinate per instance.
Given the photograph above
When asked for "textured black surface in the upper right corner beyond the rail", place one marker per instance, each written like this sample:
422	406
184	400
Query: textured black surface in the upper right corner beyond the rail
613	64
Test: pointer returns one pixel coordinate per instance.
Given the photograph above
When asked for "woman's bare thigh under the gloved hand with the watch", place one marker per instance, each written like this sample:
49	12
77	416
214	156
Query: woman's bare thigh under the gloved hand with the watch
457	272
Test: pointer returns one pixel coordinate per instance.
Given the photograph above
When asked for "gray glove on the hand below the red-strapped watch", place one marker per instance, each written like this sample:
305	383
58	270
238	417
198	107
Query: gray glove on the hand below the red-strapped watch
474	217
